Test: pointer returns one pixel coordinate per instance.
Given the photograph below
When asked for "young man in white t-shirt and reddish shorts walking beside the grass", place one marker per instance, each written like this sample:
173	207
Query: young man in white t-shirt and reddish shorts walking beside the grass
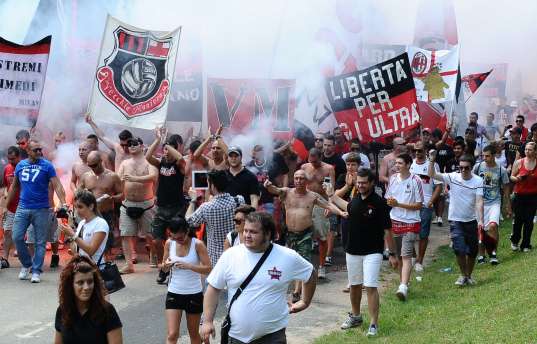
405	195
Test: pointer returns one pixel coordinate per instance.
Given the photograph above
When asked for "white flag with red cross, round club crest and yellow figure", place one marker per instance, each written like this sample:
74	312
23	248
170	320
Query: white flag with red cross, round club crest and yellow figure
435	73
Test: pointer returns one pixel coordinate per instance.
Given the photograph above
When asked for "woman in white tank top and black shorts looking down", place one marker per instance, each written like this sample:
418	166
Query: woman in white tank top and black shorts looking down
187	258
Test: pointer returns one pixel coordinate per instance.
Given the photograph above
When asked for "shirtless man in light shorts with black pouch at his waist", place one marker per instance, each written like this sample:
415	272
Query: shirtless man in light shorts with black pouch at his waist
136	213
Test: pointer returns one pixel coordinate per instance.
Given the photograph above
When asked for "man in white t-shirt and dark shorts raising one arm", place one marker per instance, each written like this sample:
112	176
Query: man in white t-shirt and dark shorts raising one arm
465	213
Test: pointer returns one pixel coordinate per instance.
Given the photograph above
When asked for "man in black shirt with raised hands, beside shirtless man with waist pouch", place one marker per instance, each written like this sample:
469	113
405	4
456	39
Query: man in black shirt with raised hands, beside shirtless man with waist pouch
170	198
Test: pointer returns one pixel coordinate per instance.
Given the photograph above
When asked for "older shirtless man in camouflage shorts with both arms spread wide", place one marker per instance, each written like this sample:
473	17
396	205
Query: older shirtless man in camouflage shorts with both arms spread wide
299	203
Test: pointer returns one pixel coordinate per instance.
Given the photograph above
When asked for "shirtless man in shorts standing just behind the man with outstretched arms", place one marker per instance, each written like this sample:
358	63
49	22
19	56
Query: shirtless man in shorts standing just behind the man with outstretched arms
316	173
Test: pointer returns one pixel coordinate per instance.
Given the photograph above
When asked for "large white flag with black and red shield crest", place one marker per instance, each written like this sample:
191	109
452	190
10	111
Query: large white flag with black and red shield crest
134	73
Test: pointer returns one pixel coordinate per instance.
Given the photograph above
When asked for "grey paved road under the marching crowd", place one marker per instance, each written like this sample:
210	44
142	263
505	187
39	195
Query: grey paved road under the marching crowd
27	310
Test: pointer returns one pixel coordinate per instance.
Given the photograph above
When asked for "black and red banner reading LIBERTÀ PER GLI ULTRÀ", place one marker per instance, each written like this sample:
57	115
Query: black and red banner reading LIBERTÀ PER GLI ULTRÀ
376	102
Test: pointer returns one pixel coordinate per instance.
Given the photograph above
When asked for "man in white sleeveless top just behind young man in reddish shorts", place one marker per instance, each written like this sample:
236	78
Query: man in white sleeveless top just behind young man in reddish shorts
431	192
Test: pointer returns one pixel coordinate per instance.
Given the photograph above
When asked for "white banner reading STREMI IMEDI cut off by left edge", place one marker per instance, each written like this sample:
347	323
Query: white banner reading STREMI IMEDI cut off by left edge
22	76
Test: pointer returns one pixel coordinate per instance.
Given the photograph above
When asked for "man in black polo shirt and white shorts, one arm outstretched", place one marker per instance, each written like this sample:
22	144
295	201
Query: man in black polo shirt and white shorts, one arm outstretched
369	218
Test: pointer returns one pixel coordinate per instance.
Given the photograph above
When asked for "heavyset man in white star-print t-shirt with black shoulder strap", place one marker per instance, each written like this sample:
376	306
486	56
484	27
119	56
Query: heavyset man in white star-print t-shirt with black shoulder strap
265	296
